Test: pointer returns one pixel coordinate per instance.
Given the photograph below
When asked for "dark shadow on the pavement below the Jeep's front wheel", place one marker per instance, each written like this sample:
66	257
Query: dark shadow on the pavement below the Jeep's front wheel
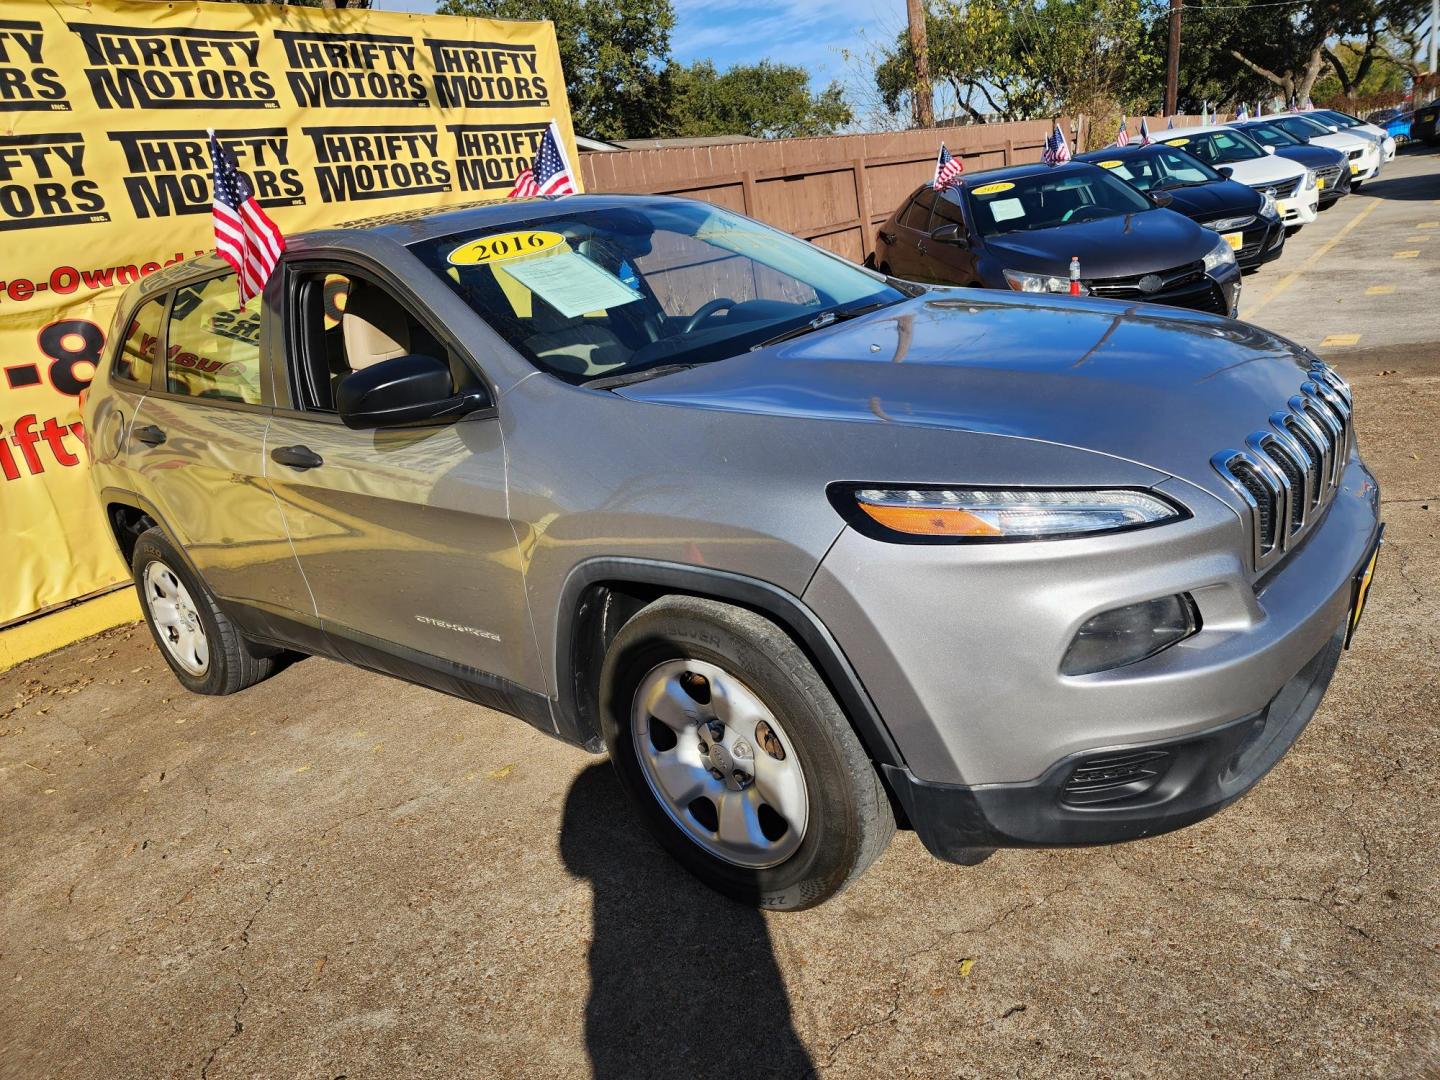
683	981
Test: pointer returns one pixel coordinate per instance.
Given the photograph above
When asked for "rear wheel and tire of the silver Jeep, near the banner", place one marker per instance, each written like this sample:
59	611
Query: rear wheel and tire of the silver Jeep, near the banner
184	617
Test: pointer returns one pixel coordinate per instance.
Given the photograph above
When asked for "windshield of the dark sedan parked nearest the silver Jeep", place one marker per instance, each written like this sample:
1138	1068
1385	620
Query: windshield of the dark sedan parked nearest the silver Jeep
1043	201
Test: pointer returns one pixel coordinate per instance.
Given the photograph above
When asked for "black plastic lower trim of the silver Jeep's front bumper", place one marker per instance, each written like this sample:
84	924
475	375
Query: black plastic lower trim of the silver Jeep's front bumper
1207	773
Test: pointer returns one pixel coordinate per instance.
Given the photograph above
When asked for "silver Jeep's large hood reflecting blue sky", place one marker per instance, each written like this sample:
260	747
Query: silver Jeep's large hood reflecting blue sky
1151	385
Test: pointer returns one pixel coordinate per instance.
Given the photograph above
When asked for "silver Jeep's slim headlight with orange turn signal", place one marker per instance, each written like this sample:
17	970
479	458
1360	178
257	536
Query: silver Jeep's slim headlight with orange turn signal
989	515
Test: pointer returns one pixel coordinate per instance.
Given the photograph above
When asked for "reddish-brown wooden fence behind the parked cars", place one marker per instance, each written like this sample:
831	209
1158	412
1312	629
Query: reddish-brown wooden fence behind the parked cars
833	191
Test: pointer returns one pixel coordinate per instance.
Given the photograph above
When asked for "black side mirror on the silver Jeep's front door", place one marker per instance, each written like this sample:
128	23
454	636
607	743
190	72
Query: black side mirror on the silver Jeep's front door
404	392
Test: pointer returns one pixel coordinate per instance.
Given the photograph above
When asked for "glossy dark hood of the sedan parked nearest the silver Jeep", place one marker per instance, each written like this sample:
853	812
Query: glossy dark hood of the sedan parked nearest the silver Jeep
1108	247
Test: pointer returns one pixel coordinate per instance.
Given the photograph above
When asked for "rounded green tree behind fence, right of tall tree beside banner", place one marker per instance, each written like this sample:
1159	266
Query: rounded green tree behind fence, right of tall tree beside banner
765	100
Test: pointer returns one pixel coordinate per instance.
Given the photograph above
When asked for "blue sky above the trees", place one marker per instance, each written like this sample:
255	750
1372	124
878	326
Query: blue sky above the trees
804	32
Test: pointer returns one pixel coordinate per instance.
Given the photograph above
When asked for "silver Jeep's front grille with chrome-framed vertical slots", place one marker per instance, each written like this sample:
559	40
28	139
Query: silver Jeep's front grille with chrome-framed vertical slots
1290	473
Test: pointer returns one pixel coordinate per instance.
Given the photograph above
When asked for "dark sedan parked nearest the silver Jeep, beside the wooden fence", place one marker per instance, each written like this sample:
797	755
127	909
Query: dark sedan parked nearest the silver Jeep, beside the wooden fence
1019	228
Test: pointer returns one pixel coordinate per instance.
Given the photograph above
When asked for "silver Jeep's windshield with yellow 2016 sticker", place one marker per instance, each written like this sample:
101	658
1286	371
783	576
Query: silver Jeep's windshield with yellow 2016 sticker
613	292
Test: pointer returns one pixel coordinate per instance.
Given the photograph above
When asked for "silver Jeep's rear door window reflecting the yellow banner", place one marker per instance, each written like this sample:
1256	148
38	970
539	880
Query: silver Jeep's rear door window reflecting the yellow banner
214	346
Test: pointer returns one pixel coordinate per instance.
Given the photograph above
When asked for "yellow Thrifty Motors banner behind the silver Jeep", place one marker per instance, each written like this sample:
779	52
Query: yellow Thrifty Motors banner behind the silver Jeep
106	178
